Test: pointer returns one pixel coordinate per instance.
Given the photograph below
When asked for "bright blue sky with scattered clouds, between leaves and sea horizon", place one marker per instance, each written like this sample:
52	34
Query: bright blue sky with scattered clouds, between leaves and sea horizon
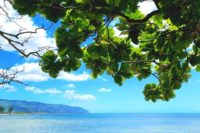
78	89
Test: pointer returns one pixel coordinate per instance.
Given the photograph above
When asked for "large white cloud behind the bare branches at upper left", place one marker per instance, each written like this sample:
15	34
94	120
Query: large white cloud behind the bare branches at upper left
25	23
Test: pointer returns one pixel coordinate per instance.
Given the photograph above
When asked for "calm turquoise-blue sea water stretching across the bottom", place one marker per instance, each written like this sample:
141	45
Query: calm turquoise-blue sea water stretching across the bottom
101	123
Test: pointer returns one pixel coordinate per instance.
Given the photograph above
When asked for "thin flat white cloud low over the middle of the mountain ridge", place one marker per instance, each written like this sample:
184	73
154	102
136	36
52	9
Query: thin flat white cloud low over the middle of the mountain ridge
43	91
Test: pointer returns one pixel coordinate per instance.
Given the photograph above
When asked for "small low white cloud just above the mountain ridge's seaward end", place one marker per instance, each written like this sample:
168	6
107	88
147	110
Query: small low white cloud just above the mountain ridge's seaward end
71	94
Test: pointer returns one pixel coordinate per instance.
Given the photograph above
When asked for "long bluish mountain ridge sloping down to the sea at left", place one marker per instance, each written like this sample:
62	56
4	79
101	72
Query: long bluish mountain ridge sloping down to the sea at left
37	107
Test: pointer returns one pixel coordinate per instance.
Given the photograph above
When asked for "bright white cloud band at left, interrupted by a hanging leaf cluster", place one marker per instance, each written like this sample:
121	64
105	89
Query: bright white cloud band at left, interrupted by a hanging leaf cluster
32	72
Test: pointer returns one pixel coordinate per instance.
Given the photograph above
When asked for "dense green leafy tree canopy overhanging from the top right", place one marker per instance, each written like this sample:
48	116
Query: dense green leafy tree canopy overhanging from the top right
164	43
